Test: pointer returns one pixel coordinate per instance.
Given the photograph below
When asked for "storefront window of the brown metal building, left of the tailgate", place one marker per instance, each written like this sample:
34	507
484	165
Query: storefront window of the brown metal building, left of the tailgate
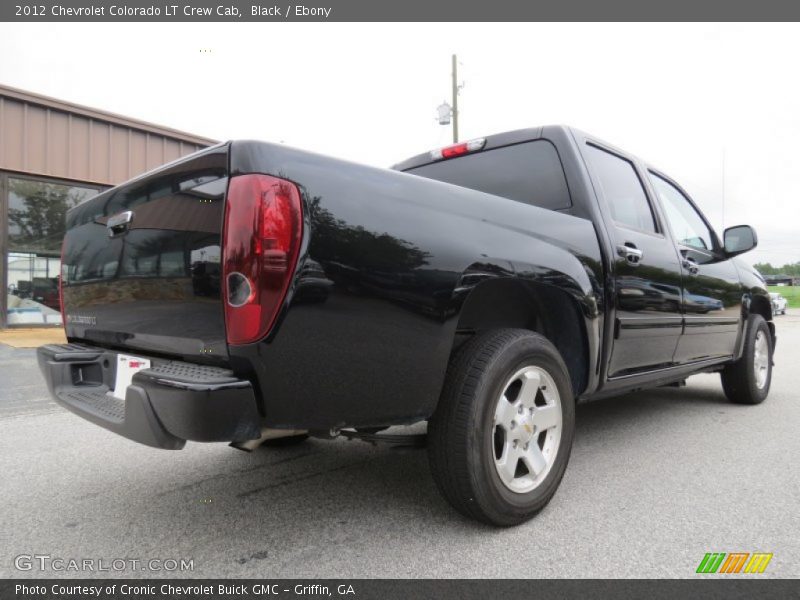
36	217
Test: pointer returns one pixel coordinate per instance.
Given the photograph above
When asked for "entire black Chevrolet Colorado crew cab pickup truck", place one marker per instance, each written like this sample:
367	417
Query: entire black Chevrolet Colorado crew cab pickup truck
252	291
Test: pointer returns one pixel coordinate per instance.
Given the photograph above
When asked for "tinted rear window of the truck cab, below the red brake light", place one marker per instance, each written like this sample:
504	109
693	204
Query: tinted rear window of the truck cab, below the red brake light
530	172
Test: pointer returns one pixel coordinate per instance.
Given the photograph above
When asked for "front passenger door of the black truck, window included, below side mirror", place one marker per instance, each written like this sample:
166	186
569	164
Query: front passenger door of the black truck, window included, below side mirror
712	295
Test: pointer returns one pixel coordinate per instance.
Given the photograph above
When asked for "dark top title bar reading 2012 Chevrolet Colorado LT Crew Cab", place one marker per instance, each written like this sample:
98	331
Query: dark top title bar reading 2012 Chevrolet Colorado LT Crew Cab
405	10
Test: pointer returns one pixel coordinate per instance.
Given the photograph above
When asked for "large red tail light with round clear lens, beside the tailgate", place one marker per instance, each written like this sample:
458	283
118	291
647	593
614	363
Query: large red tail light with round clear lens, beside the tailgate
261	241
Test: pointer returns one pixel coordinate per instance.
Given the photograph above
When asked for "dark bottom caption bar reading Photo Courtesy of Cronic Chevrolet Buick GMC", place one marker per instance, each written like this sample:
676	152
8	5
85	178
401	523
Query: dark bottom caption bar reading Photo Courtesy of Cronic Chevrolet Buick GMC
705	587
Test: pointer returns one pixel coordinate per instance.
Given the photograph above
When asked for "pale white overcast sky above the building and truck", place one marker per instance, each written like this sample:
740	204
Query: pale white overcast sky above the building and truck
686	98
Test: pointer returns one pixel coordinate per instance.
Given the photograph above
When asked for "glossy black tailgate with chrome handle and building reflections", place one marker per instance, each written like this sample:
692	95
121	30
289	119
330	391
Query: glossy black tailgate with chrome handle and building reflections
141	262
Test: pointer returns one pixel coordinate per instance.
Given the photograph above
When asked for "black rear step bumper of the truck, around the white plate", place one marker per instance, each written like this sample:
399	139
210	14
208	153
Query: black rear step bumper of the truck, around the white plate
164	406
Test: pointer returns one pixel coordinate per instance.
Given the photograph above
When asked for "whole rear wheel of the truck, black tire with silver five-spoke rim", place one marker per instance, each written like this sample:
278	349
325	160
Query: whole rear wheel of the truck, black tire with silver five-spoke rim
477	466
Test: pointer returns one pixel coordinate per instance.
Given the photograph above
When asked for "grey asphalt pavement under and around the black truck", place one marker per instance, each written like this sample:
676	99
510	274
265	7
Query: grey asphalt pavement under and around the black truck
656	480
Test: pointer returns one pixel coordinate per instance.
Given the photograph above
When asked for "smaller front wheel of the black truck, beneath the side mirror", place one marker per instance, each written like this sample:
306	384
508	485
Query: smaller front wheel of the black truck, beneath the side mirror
747	380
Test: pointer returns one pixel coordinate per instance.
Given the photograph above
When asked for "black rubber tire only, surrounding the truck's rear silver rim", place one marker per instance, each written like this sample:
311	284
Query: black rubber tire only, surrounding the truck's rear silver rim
462	433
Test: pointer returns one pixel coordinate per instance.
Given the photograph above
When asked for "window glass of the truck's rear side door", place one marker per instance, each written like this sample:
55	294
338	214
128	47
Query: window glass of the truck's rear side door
622	190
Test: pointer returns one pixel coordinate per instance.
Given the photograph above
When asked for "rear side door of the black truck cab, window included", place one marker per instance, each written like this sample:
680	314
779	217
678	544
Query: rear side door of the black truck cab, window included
646	271
